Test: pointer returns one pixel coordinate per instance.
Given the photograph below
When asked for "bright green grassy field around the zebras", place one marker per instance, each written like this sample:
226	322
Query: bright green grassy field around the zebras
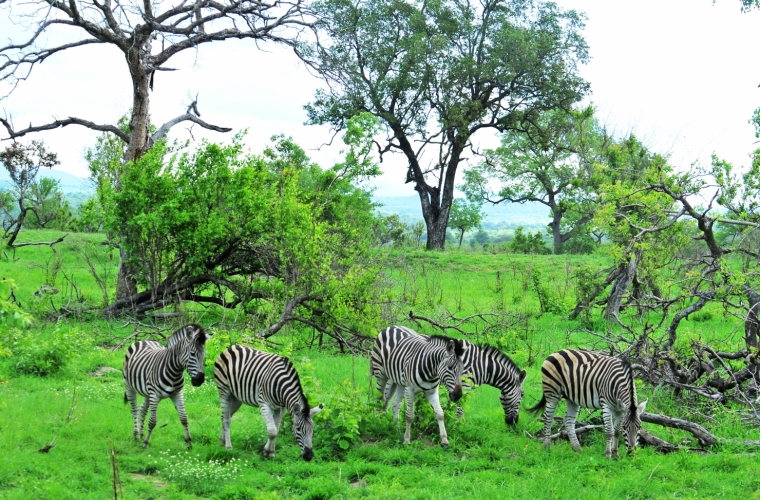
86	417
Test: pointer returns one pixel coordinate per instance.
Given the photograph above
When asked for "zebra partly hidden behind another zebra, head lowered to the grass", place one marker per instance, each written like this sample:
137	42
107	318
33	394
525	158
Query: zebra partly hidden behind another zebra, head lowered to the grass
488	365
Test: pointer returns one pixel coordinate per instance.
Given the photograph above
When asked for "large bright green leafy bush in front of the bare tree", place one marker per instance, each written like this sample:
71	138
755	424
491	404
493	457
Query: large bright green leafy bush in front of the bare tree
271	234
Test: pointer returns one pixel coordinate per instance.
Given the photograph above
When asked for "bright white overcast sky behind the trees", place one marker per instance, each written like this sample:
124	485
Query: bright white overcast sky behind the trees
682	75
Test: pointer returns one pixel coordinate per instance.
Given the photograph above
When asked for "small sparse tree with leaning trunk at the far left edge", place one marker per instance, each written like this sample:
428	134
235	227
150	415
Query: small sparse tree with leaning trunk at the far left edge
22	163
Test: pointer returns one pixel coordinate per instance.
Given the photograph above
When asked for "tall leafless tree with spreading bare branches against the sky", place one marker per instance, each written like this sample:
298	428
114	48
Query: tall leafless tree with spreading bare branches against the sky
135	29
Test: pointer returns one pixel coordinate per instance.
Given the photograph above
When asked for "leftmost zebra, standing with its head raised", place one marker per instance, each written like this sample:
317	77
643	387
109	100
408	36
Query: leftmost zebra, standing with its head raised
156	372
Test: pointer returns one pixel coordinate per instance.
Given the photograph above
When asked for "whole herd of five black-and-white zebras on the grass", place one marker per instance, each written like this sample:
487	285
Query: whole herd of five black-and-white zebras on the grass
403	362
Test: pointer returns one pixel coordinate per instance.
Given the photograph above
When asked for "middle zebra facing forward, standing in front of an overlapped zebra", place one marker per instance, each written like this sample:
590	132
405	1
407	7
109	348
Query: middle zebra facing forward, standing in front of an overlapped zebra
413	364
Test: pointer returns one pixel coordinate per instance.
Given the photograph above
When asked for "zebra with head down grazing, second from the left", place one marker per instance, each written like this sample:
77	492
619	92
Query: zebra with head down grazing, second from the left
269	381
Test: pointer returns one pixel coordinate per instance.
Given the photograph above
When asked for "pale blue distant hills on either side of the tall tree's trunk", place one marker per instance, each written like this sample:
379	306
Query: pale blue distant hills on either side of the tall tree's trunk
503	215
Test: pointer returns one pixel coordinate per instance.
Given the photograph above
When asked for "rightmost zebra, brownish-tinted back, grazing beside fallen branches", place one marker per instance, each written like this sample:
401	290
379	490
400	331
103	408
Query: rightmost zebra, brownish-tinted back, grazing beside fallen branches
589	380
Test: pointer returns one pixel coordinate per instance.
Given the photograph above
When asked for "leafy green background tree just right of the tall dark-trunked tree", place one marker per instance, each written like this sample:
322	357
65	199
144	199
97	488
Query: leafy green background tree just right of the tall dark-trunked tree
550	163
